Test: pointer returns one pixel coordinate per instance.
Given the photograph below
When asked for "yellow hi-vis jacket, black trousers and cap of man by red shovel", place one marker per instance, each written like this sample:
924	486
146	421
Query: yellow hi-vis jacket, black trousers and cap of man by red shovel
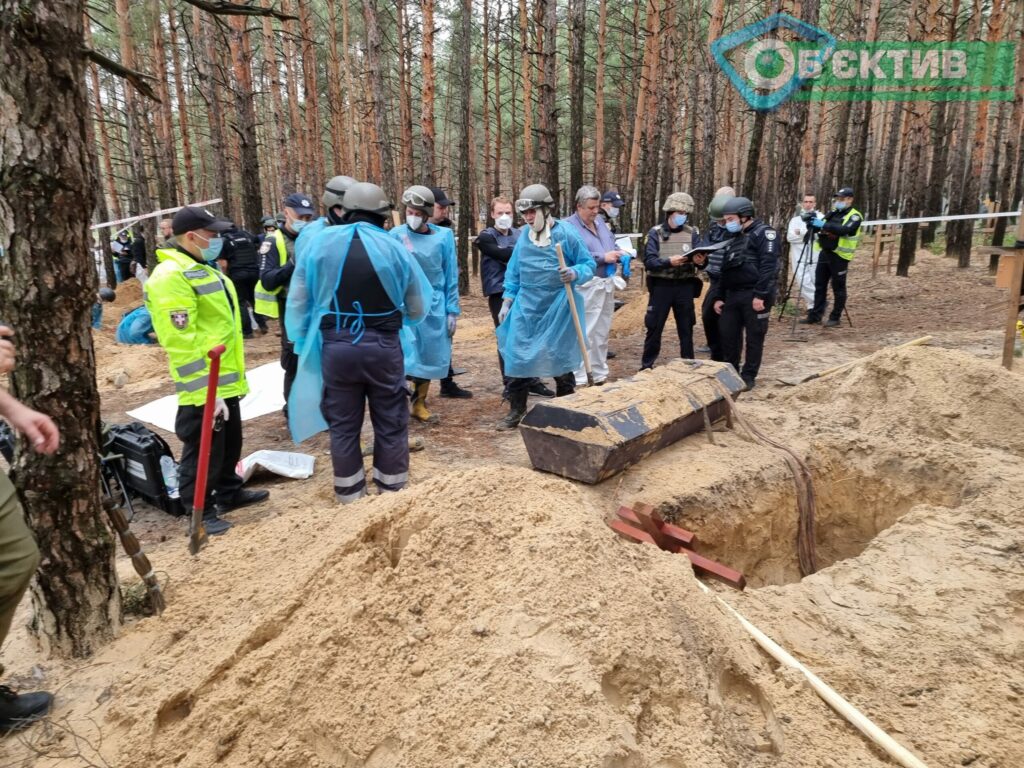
196	309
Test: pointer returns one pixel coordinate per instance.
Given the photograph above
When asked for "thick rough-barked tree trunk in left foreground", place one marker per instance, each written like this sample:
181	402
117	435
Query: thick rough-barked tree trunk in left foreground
48	290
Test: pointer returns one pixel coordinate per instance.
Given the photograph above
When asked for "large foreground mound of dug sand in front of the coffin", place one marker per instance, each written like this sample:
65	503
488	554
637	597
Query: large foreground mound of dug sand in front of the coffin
486	618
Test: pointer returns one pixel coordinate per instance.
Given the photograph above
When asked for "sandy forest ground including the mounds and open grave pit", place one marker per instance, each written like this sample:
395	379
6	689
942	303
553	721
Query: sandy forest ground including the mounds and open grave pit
486	617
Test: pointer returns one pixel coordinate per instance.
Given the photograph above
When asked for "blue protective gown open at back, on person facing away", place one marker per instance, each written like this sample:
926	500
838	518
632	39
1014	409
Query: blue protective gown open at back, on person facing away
313	294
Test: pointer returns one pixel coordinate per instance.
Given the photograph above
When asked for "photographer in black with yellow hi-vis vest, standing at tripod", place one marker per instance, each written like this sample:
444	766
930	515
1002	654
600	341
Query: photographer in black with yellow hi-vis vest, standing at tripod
839	233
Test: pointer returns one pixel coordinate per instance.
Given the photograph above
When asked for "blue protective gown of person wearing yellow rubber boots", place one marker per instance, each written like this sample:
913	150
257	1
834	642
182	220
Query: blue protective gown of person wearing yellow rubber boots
428	348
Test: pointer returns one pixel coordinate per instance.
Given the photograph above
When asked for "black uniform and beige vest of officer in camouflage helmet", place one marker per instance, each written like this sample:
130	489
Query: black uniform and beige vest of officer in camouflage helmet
671	289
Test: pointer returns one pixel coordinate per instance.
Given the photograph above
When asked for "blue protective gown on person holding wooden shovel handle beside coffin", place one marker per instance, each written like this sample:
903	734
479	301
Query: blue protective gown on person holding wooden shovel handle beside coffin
538	337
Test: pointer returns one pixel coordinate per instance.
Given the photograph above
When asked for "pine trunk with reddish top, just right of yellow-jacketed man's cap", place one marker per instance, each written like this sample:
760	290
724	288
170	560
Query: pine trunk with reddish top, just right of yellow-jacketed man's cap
252	199
